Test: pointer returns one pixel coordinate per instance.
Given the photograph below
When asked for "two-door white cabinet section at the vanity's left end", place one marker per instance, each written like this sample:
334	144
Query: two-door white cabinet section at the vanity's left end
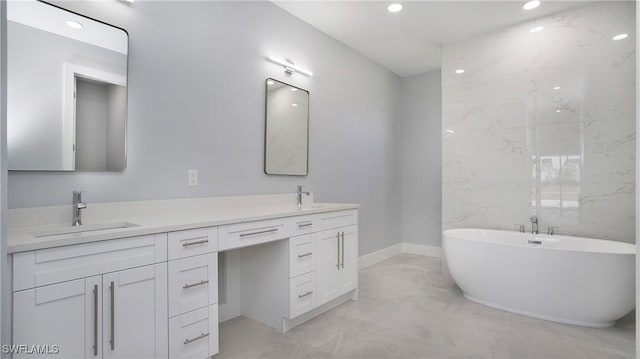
117	313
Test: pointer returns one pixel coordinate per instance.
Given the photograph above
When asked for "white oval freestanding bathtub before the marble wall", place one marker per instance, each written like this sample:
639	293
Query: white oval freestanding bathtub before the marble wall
582	281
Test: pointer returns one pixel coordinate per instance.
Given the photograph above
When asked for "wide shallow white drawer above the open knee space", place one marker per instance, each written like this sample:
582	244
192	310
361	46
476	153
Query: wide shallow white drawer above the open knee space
250	233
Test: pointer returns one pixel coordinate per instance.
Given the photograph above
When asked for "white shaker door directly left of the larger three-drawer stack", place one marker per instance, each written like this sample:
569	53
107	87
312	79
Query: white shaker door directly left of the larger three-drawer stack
133	307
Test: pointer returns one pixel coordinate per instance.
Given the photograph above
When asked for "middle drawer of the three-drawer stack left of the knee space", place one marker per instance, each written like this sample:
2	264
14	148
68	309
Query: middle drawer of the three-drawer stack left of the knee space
193	283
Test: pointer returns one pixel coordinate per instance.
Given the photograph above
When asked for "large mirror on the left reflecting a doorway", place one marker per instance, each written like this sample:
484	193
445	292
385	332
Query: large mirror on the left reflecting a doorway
66	90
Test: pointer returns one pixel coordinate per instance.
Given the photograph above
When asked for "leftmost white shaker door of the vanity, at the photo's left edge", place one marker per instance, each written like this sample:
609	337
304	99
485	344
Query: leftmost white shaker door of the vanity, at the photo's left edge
64	316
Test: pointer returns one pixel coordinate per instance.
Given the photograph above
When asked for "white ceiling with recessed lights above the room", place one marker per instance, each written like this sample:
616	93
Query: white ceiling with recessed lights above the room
409	42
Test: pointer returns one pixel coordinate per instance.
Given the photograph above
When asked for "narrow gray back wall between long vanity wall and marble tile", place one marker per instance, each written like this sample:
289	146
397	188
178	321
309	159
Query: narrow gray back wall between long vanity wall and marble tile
418	158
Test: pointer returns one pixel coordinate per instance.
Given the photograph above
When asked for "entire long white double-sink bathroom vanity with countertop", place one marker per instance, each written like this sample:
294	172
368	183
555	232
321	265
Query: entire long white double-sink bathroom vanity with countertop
150	289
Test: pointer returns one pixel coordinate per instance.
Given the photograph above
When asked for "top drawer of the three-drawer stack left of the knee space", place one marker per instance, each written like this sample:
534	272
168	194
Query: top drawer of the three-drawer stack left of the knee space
192	242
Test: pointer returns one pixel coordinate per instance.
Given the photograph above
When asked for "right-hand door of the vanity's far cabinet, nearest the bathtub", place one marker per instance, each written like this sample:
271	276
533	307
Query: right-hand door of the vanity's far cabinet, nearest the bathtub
348	274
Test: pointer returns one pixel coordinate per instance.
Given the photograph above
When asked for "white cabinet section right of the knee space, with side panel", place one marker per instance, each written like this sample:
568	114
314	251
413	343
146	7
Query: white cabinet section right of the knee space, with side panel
285	283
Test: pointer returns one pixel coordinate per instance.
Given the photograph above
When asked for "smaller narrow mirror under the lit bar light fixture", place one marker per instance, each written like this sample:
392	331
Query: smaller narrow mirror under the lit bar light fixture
286	144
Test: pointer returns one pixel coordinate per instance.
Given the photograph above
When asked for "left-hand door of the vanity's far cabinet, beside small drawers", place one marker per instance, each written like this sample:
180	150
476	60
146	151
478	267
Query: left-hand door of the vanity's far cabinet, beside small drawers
327	264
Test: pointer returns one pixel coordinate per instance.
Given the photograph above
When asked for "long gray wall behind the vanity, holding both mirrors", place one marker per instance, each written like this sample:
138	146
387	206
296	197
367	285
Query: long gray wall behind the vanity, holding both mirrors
196	101
